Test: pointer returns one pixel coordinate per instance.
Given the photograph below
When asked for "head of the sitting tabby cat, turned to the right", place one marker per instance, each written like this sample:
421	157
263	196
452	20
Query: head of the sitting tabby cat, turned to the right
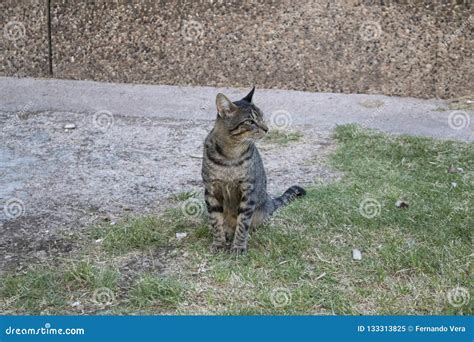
242	120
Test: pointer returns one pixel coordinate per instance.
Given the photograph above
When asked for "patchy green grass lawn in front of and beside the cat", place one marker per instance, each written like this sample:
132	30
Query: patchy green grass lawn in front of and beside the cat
300	262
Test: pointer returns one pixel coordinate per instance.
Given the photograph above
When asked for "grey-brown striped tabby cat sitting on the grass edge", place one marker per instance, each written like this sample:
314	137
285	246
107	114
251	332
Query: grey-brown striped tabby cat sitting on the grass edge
234	178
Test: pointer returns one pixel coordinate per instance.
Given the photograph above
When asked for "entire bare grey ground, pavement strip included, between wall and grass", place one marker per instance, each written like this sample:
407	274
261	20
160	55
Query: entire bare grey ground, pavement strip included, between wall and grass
130	147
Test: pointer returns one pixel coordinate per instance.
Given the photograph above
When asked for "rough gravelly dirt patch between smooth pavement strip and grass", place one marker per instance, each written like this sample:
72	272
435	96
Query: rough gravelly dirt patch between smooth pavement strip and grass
62	180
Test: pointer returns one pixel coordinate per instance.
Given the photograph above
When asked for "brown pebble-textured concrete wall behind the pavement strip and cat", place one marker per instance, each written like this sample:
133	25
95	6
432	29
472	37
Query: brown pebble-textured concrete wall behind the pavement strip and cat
408	48
